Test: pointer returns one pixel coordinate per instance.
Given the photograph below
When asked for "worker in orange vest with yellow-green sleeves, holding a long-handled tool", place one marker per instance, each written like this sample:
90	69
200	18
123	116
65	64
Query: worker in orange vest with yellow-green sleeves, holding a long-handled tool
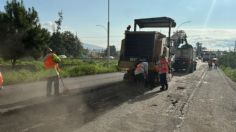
52	67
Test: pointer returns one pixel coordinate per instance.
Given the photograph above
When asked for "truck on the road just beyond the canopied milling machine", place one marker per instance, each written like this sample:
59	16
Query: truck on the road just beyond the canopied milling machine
185	59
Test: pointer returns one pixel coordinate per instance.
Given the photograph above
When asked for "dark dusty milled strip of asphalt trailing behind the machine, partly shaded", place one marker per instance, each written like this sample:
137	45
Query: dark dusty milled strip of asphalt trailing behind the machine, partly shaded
74	110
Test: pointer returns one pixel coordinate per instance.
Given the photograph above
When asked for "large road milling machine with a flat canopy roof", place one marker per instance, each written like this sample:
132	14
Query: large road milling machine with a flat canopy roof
145	46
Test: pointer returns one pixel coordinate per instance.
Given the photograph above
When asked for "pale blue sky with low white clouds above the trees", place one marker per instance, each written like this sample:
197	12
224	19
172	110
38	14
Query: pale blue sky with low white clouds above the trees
212	22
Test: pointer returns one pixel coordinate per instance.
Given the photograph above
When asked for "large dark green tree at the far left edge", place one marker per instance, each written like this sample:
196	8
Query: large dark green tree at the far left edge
21	34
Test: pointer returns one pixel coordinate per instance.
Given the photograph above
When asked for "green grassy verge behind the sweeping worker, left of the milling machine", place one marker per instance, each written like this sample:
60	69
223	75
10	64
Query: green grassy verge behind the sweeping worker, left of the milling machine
29	71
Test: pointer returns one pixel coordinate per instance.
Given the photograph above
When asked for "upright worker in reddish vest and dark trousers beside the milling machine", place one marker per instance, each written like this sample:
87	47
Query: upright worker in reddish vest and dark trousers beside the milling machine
163	69
